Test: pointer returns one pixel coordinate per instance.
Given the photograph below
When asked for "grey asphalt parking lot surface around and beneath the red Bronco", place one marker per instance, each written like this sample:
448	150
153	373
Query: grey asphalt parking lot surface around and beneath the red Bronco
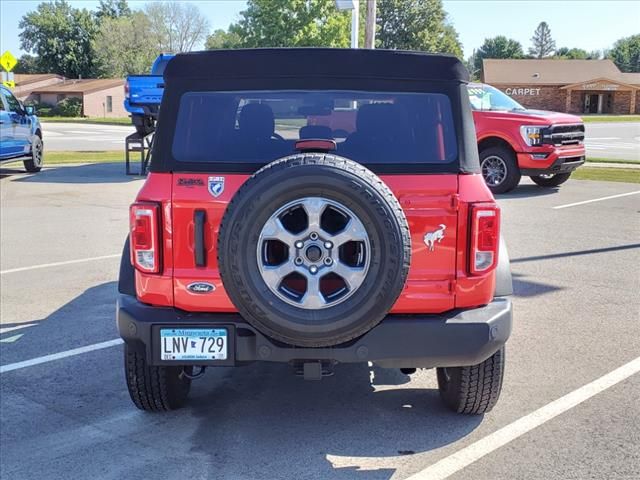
577	319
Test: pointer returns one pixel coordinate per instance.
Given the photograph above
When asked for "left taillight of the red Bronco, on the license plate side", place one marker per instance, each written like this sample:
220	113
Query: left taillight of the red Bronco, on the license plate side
144	236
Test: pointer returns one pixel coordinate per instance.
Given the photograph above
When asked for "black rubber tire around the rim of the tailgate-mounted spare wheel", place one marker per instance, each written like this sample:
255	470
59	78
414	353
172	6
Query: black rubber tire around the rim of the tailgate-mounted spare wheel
239	234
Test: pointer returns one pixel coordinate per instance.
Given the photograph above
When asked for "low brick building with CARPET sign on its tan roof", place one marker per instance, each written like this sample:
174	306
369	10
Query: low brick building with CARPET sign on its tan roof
572	86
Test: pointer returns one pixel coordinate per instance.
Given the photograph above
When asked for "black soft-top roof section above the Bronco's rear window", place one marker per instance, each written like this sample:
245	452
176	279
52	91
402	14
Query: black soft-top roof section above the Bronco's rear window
316	62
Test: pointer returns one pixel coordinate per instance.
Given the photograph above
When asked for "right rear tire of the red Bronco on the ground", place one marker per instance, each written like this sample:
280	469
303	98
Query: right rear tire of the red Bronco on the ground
475	389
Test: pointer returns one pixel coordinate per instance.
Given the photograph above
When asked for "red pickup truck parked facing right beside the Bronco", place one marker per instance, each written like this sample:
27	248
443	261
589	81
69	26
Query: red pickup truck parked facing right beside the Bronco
514	141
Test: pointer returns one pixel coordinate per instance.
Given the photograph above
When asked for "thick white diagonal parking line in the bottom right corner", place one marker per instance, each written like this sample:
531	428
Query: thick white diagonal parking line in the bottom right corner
474	452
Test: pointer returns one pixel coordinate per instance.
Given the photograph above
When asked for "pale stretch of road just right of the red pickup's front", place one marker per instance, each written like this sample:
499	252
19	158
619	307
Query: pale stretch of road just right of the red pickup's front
613	140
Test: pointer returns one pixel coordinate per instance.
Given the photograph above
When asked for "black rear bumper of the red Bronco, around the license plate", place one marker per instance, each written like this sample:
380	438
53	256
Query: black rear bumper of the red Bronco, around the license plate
456	338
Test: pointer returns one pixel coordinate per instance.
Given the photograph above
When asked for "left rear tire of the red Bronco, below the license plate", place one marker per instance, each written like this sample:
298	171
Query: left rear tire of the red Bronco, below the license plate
154	389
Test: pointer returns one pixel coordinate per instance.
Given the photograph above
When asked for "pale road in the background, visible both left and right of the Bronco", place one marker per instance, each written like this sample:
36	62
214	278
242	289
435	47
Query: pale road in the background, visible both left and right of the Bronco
610	140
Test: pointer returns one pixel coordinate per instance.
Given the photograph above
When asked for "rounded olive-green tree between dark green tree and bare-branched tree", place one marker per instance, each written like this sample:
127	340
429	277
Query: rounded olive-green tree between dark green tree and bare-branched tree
124	46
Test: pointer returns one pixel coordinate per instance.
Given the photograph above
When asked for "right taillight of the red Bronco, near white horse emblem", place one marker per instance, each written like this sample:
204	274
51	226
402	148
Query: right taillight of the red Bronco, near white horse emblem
485	237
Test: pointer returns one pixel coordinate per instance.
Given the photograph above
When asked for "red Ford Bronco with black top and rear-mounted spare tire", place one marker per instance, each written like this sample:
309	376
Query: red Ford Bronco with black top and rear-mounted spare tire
262	235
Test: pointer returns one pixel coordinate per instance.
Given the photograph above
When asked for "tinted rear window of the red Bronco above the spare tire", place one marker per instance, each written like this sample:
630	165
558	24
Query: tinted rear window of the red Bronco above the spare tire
261	126
